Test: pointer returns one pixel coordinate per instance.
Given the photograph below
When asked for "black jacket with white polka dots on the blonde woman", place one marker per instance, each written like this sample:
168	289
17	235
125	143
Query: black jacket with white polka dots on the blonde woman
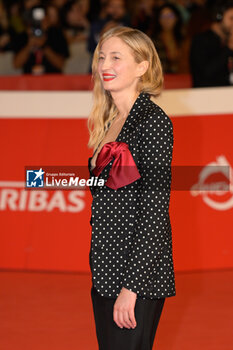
131	241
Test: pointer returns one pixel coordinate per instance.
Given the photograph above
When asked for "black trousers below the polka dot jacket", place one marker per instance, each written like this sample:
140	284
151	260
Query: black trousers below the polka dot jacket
111	337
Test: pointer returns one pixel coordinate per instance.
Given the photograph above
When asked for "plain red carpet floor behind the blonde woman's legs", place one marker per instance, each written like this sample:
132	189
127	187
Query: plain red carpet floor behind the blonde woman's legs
53	311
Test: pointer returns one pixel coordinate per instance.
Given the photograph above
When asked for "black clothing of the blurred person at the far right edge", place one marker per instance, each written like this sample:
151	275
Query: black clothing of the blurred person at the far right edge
209	60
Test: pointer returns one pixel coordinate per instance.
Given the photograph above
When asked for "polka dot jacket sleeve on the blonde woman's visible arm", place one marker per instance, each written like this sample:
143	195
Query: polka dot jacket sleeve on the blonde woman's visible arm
151	233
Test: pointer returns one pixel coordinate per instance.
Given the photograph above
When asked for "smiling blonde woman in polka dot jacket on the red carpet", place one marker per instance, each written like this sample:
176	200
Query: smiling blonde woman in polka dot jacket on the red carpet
131	247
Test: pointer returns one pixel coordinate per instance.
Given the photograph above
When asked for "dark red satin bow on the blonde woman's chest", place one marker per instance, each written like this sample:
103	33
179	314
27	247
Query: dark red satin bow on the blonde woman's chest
123	171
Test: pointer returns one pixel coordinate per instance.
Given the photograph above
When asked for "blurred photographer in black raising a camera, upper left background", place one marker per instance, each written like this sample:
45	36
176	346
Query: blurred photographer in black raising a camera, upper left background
41	48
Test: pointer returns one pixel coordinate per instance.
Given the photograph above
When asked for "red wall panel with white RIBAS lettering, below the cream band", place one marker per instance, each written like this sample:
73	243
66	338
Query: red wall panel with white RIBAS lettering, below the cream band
58	237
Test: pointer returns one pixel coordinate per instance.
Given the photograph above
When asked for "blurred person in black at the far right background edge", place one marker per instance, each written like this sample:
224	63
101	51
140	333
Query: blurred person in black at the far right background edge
211	54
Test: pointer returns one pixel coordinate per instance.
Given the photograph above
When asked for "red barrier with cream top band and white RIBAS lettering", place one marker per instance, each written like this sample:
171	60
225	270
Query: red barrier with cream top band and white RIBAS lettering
49	229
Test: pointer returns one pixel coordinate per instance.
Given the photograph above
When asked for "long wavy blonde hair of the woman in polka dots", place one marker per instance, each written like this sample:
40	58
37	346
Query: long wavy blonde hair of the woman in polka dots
104	109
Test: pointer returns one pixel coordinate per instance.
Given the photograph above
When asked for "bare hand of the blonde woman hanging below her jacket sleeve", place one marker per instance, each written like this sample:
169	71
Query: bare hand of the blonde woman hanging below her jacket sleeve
123	311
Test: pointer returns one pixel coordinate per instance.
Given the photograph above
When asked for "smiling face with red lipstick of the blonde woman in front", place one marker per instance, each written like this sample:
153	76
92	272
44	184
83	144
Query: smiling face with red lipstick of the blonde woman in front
116	66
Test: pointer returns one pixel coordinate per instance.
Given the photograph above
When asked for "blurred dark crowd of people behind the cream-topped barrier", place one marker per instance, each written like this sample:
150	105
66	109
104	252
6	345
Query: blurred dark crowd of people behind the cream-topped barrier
60	36
